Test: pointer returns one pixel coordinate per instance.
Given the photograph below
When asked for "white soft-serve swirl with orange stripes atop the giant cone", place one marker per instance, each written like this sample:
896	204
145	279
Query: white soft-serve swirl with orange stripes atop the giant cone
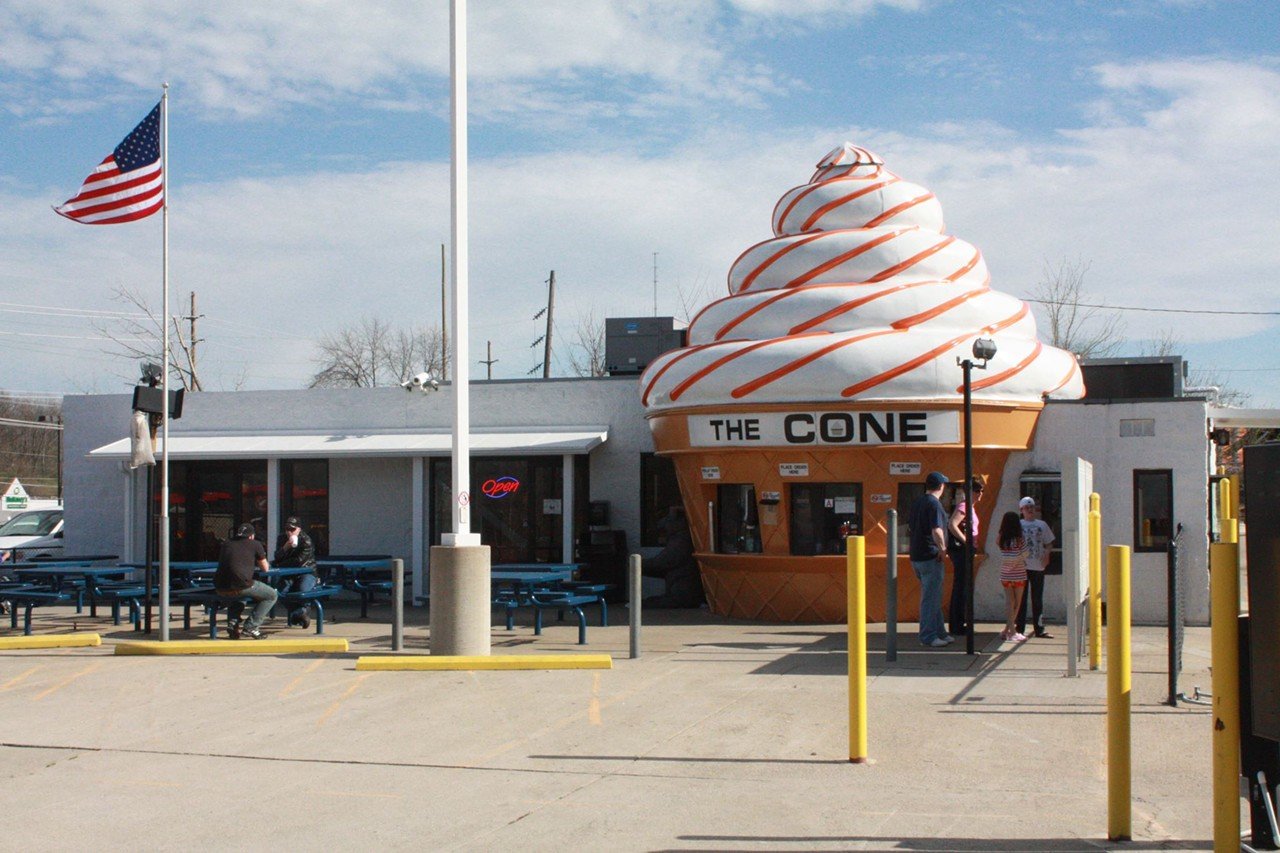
861	295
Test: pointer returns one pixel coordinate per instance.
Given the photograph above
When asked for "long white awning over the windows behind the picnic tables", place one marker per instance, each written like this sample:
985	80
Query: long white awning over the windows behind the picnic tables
578	440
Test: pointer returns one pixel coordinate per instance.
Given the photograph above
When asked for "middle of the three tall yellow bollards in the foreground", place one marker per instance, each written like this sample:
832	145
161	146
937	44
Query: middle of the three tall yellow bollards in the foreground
1119	686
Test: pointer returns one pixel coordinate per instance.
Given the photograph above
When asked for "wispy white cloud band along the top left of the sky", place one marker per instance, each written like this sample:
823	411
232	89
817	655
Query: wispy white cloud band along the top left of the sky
246	58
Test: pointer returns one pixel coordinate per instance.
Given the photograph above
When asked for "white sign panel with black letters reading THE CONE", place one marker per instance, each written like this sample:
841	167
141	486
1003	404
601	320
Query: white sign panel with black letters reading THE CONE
776	428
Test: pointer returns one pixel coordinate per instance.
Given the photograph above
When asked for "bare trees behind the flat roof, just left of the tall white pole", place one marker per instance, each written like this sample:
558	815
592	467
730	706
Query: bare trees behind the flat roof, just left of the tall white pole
373	353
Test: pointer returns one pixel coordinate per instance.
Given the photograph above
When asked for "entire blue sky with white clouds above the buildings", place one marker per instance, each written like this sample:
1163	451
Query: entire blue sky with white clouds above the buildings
309	162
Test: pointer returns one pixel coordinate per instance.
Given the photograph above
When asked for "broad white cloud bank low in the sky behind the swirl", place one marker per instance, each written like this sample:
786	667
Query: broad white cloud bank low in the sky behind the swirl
1172	206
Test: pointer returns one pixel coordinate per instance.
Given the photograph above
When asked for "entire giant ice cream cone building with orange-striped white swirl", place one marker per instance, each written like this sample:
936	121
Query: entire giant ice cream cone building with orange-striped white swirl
822	390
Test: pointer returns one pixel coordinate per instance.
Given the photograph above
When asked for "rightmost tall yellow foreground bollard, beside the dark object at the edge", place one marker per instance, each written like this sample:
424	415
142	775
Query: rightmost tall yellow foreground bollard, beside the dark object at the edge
1224	583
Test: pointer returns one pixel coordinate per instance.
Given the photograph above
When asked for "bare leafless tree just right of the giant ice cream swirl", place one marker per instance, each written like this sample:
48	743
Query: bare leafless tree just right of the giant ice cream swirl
1073	323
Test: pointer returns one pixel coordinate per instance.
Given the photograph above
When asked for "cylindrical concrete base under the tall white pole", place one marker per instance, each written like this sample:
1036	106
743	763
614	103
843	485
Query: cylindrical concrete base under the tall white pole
460	600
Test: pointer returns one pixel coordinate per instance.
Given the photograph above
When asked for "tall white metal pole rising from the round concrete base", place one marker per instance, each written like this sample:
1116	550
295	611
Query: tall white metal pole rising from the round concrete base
461	535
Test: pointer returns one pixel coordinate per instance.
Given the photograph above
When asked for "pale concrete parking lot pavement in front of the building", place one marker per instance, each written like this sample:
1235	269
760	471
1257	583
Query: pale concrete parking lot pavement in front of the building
723	736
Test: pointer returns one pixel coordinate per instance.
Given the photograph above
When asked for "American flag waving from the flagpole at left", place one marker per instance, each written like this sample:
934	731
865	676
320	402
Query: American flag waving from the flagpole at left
129	185
